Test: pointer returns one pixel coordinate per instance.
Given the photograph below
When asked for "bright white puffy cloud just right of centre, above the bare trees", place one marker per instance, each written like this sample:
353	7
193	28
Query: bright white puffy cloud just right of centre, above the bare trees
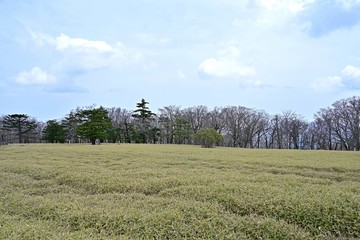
227	64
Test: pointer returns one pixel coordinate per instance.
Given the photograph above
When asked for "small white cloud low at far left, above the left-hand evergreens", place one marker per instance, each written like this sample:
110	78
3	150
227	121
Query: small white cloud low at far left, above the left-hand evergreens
35	76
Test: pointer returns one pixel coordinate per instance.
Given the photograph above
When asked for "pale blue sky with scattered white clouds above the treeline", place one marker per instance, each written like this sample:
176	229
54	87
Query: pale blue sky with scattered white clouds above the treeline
271	55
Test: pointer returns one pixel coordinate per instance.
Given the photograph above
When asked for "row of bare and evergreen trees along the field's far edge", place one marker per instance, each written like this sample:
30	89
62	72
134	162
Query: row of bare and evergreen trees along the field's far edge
334	128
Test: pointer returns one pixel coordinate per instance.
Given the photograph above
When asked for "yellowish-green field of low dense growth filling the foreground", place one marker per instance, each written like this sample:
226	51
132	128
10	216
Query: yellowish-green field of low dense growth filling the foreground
177	192
